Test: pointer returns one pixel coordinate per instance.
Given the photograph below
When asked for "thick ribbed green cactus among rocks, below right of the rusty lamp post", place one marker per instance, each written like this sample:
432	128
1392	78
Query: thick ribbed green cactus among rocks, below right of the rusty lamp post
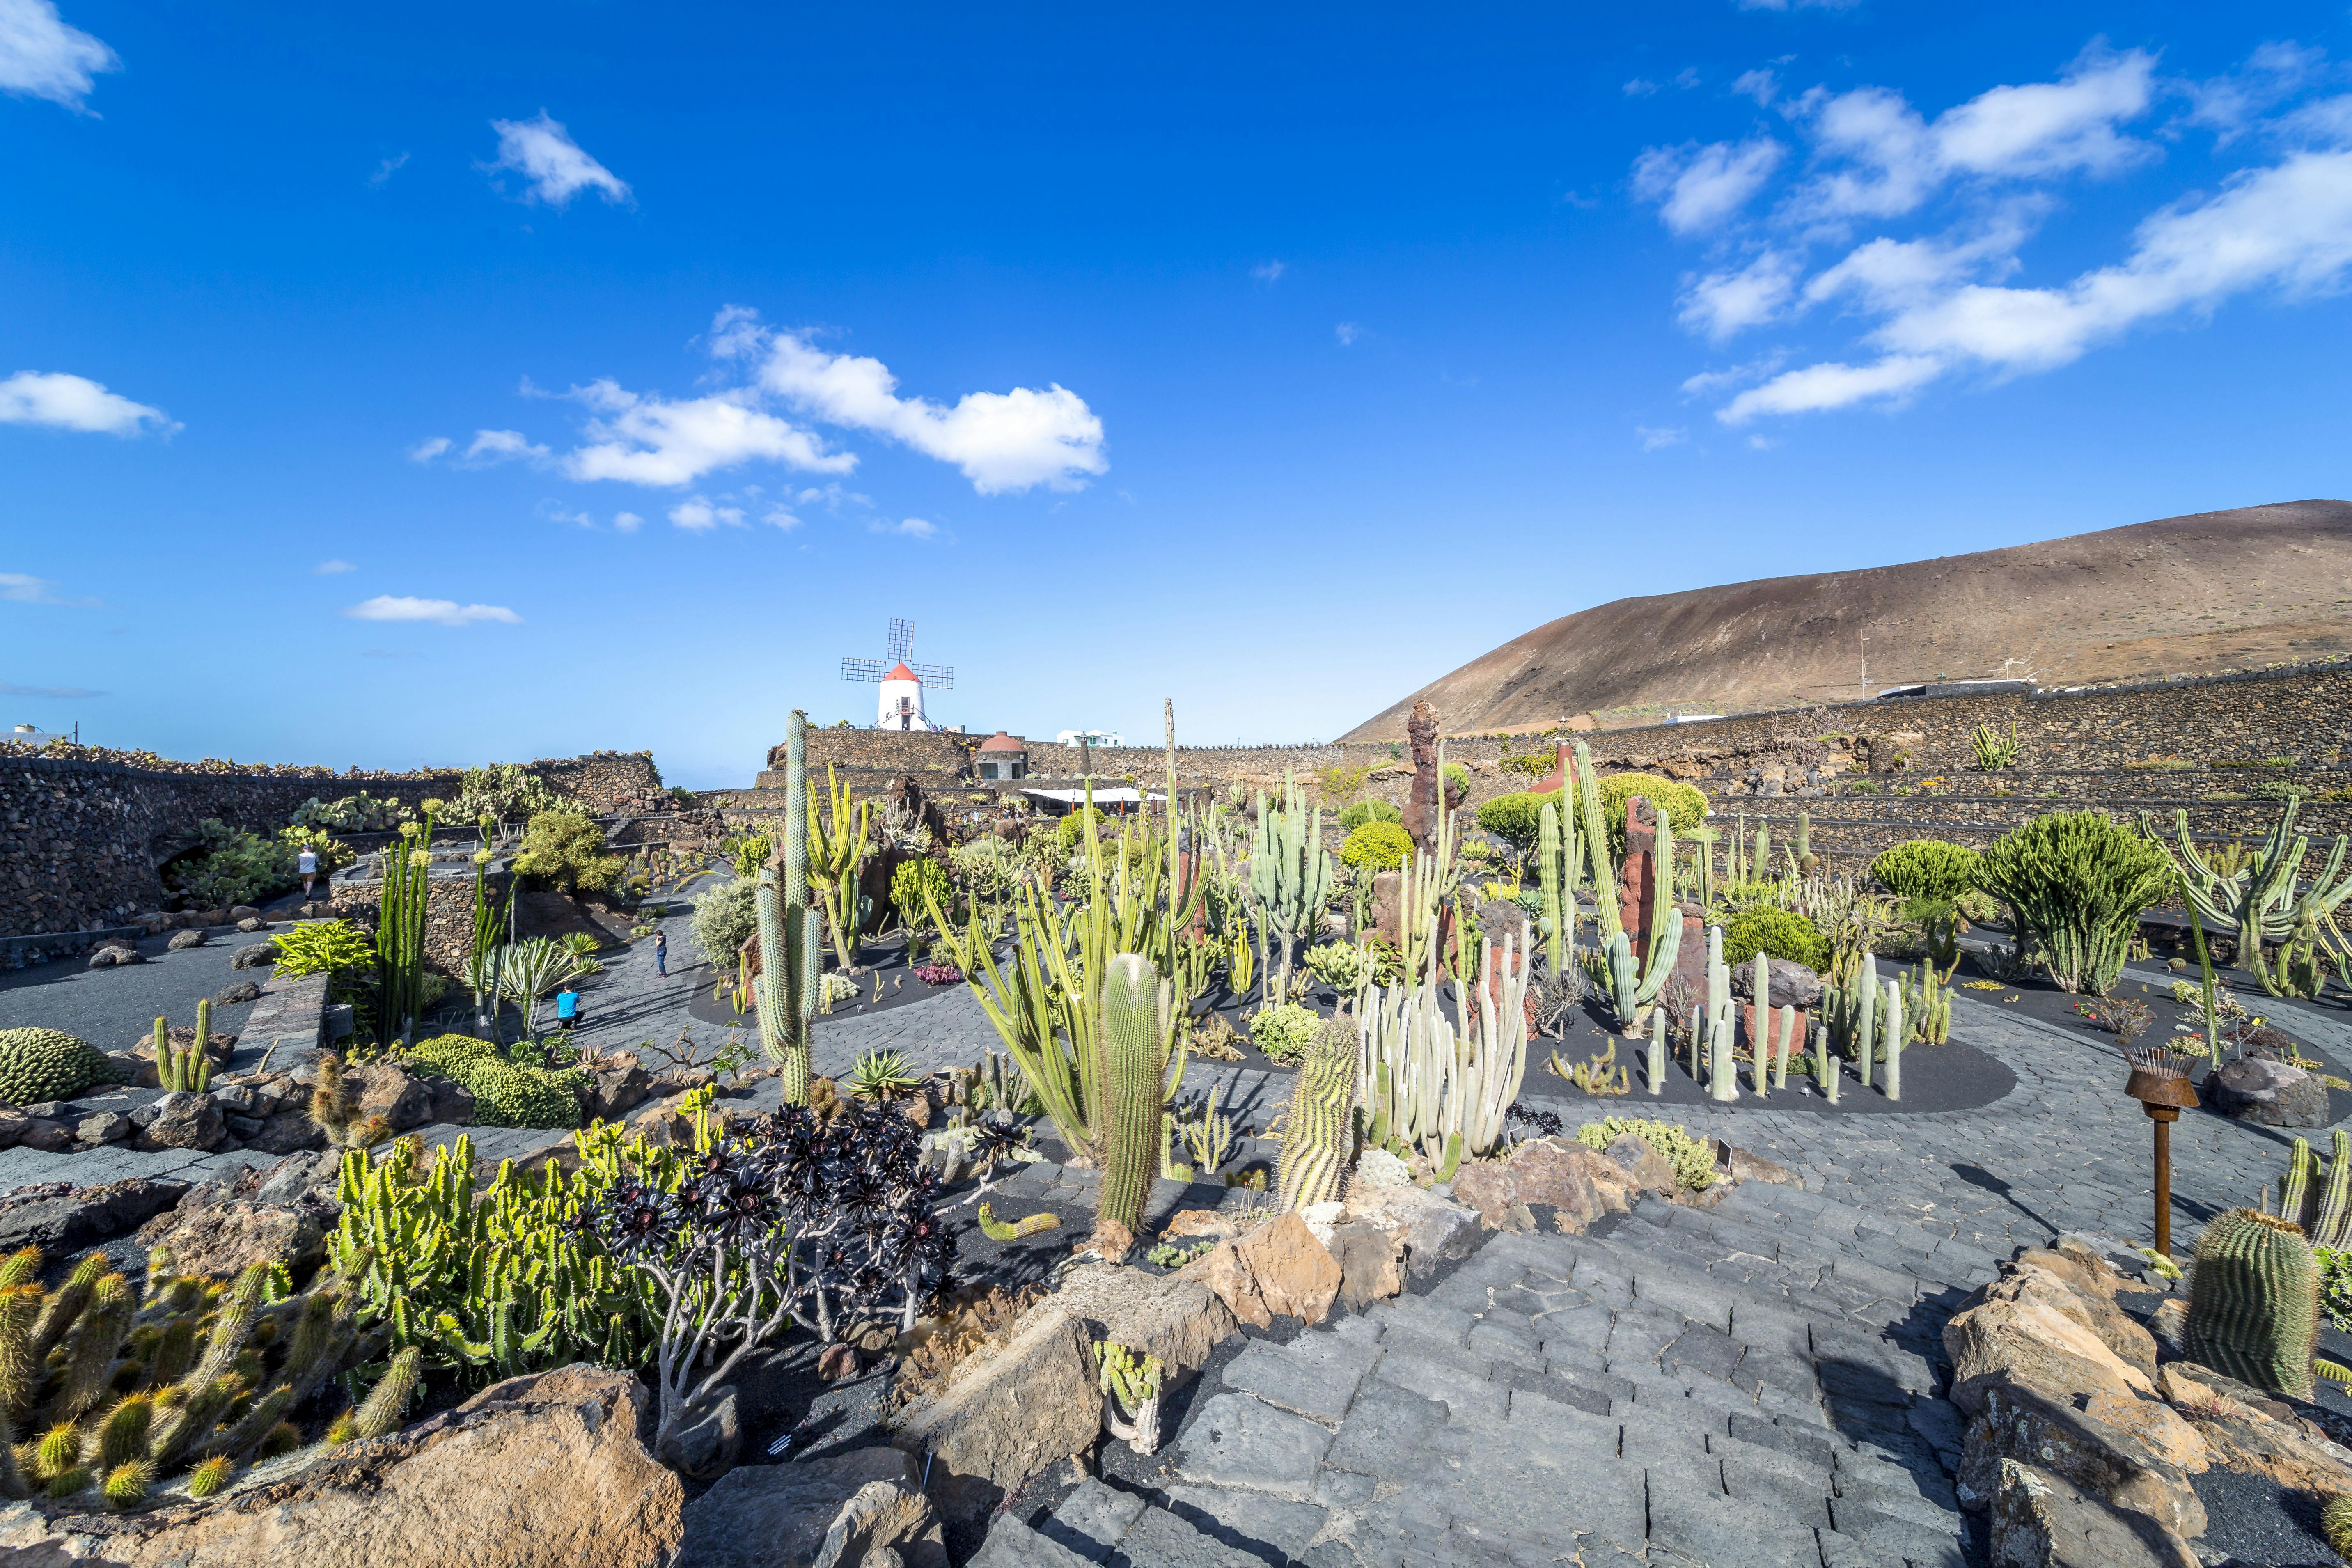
2254	1301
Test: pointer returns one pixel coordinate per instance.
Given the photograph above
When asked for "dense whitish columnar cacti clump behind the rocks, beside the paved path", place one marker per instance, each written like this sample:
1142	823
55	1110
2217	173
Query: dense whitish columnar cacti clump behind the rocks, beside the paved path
1445	1085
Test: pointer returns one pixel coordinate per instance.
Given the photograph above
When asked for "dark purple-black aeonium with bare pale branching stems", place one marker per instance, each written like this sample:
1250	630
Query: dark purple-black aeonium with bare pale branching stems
820	1224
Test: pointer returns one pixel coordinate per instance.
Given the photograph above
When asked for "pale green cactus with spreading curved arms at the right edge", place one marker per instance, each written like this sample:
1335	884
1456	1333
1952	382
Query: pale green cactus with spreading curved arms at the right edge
2266	902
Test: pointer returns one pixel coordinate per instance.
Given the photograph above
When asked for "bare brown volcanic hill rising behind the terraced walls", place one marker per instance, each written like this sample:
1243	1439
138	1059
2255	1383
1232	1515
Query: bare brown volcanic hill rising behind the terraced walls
2181	596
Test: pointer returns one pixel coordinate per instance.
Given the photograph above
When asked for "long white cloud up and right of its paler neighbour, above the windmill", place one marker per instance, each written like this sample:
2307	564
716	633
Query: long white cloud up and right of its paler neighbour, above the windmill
1001	441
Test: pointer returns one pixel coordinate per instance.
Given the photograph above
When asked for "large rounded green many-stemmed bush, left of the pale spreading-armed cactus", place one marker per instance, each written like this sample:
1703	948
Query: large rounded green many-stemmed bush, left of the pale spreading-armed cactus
2078	883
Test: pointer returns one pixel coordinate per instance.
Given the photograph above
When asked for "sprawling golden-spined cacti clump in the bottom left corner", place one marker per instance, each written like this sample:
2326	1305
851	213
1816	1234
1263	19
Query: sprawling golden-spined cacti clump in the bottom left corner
138	1386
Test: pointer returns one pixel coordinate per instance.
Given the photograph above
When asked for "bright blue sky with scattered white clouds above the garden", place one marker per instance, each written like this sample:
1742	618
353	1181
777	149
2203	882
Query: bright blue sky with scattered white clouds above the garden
512	382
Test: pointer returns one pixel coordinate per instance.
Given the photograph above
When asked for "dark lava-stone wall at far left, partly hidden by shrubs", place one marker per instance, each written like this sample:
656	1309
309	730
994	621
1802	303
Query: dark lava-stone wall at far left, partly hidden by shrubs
83	833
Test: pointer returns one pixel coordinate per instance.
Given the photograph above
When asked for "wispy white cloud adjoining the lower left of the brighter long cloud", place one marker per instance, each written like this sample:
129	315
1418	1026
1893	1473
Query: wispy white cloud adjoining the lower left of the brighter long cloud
650	441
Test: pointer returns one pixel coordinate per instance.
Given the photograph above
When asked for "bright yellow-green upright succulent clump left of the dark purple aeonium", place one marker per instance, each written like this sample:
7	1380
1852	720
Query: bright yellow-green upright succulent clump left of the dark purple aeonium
495	1282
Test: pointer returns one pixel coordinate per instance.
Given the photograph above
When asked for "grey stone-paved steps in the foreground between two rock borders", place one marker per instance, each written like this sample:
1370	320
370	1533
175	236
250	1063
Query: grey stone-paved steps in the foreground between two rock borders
1735	1388
